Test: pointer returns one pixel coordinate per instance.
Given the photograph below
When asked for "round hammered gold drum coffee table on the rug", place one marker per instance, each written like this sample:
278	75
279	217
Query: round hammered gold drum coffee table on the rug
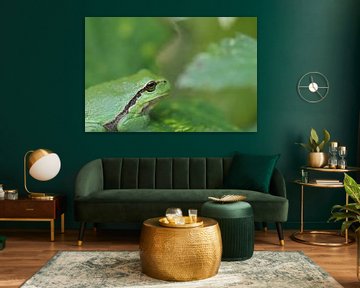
180	254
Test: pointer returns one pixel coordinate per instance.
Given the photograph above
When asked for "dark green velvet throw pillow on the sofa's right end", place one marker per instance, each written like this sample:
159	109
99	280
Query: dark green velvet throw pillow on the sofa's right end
251	172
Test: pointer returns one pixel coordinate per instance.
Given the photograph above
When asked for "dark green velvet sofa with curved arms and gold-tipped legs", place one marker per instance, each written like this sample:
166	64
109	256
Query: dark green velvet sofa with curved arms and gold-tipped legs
130	190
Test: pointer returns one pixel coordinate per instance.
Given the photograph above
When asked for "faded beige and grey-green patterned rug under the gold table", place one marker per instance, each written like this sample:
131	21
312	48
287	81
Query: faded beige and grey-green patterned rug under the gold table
80	269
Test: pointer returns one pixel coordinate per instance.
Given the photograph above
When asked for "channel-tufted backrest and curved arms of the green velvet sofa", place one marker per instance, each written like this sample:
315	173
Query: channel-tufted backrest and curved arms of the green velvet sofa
160	173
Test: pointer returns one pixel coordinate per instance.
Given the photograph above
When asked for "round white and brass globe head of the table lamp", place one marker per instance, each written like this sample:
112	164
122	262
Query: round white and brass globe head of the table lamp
44	164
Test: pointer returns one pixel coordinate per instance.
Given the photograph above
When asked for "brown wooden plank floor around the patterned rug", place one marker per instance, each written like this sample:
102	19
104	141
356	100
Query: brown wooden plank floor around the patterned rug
28	250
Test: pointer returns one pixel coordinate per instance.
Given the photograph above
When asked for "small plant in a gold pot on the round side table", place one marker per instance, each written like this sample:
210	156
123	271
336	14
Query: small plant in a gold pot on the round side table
317	157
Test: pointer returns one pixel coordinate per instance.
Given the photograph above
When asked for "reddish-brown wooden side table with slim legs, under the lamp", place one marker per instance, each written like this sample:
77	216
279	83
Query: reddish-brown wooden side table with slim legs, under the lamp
27	209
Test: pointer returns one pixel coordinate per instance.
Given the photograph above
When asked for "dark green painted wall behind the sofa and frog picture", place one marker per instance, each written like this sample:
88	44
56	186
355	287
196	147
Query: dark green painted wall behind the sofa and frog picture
42	79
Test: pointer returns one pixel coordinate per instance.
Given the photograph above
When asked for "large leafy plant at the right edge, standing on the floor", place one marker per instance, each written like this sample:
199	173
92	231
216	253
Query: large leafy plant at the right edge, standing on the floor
350	214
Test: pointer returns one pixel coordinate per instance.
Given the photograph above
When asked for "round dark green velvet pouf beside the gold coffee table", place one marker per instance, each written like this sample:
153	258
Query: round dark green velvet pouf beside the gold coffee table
236	221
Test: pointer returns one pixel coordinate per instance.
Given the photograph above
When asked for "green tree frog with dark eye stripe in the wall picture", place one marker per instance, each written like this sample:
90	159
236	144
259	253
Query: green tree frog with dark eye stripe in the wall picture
123	105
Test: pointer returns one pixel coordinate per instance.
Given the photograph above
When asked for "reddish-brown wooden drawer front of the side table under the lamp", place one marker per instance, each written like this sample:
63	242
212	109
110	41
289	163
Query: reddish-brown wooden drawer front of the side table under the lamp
29	209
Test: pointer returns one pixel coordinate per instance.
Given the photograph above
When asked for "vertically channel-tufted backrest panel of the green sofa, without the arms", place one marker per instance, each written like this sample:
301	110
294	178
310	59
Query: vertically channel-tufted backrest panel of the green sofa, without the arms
165	173
